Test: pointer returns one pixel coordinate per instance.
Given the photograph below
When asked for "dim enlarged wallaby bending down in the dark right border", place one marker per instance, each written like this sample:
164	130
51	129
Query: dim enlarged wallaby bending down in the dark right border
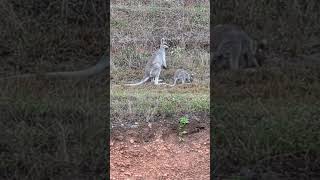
234	49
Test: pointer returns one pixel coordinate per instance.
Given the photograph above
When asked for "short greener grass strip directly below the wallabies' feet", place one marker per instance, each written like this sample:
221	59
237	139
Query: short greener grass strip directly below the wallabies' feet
140	100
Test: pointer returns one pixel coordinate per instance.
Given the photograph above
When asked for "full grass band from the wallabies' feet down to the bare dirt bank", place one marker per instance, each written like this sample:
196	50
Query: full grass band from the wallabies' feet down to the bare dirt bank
150	104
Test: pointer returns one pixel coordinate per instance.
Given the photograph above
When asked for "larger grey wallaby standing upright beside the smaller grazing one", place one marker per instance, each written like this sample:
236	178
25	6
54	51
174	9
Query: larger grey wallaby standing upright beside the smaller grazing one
154	65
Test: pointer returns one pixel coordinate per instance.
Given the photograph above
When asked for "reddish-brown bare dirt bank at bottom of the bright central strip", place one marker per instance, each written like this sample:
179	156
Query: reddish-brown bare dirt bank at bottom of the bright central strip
155	152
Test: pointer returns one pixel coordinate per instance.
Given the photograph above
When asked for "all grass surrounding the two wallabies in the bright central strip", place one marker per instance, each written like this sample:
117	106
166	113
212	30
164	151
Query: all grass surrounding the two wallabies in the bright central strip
135	35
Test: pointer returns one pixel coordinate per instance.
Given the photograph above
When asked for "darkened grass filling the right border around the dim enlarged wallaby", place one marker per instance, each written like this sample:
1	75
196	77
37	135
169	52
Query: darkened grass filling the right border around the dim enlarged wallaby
266	123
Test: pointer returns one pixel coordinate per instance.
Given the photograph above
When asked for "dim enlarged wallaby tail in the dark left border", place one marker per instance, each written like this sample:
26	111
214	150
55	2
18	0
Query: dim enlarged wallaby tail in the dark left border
98	68
